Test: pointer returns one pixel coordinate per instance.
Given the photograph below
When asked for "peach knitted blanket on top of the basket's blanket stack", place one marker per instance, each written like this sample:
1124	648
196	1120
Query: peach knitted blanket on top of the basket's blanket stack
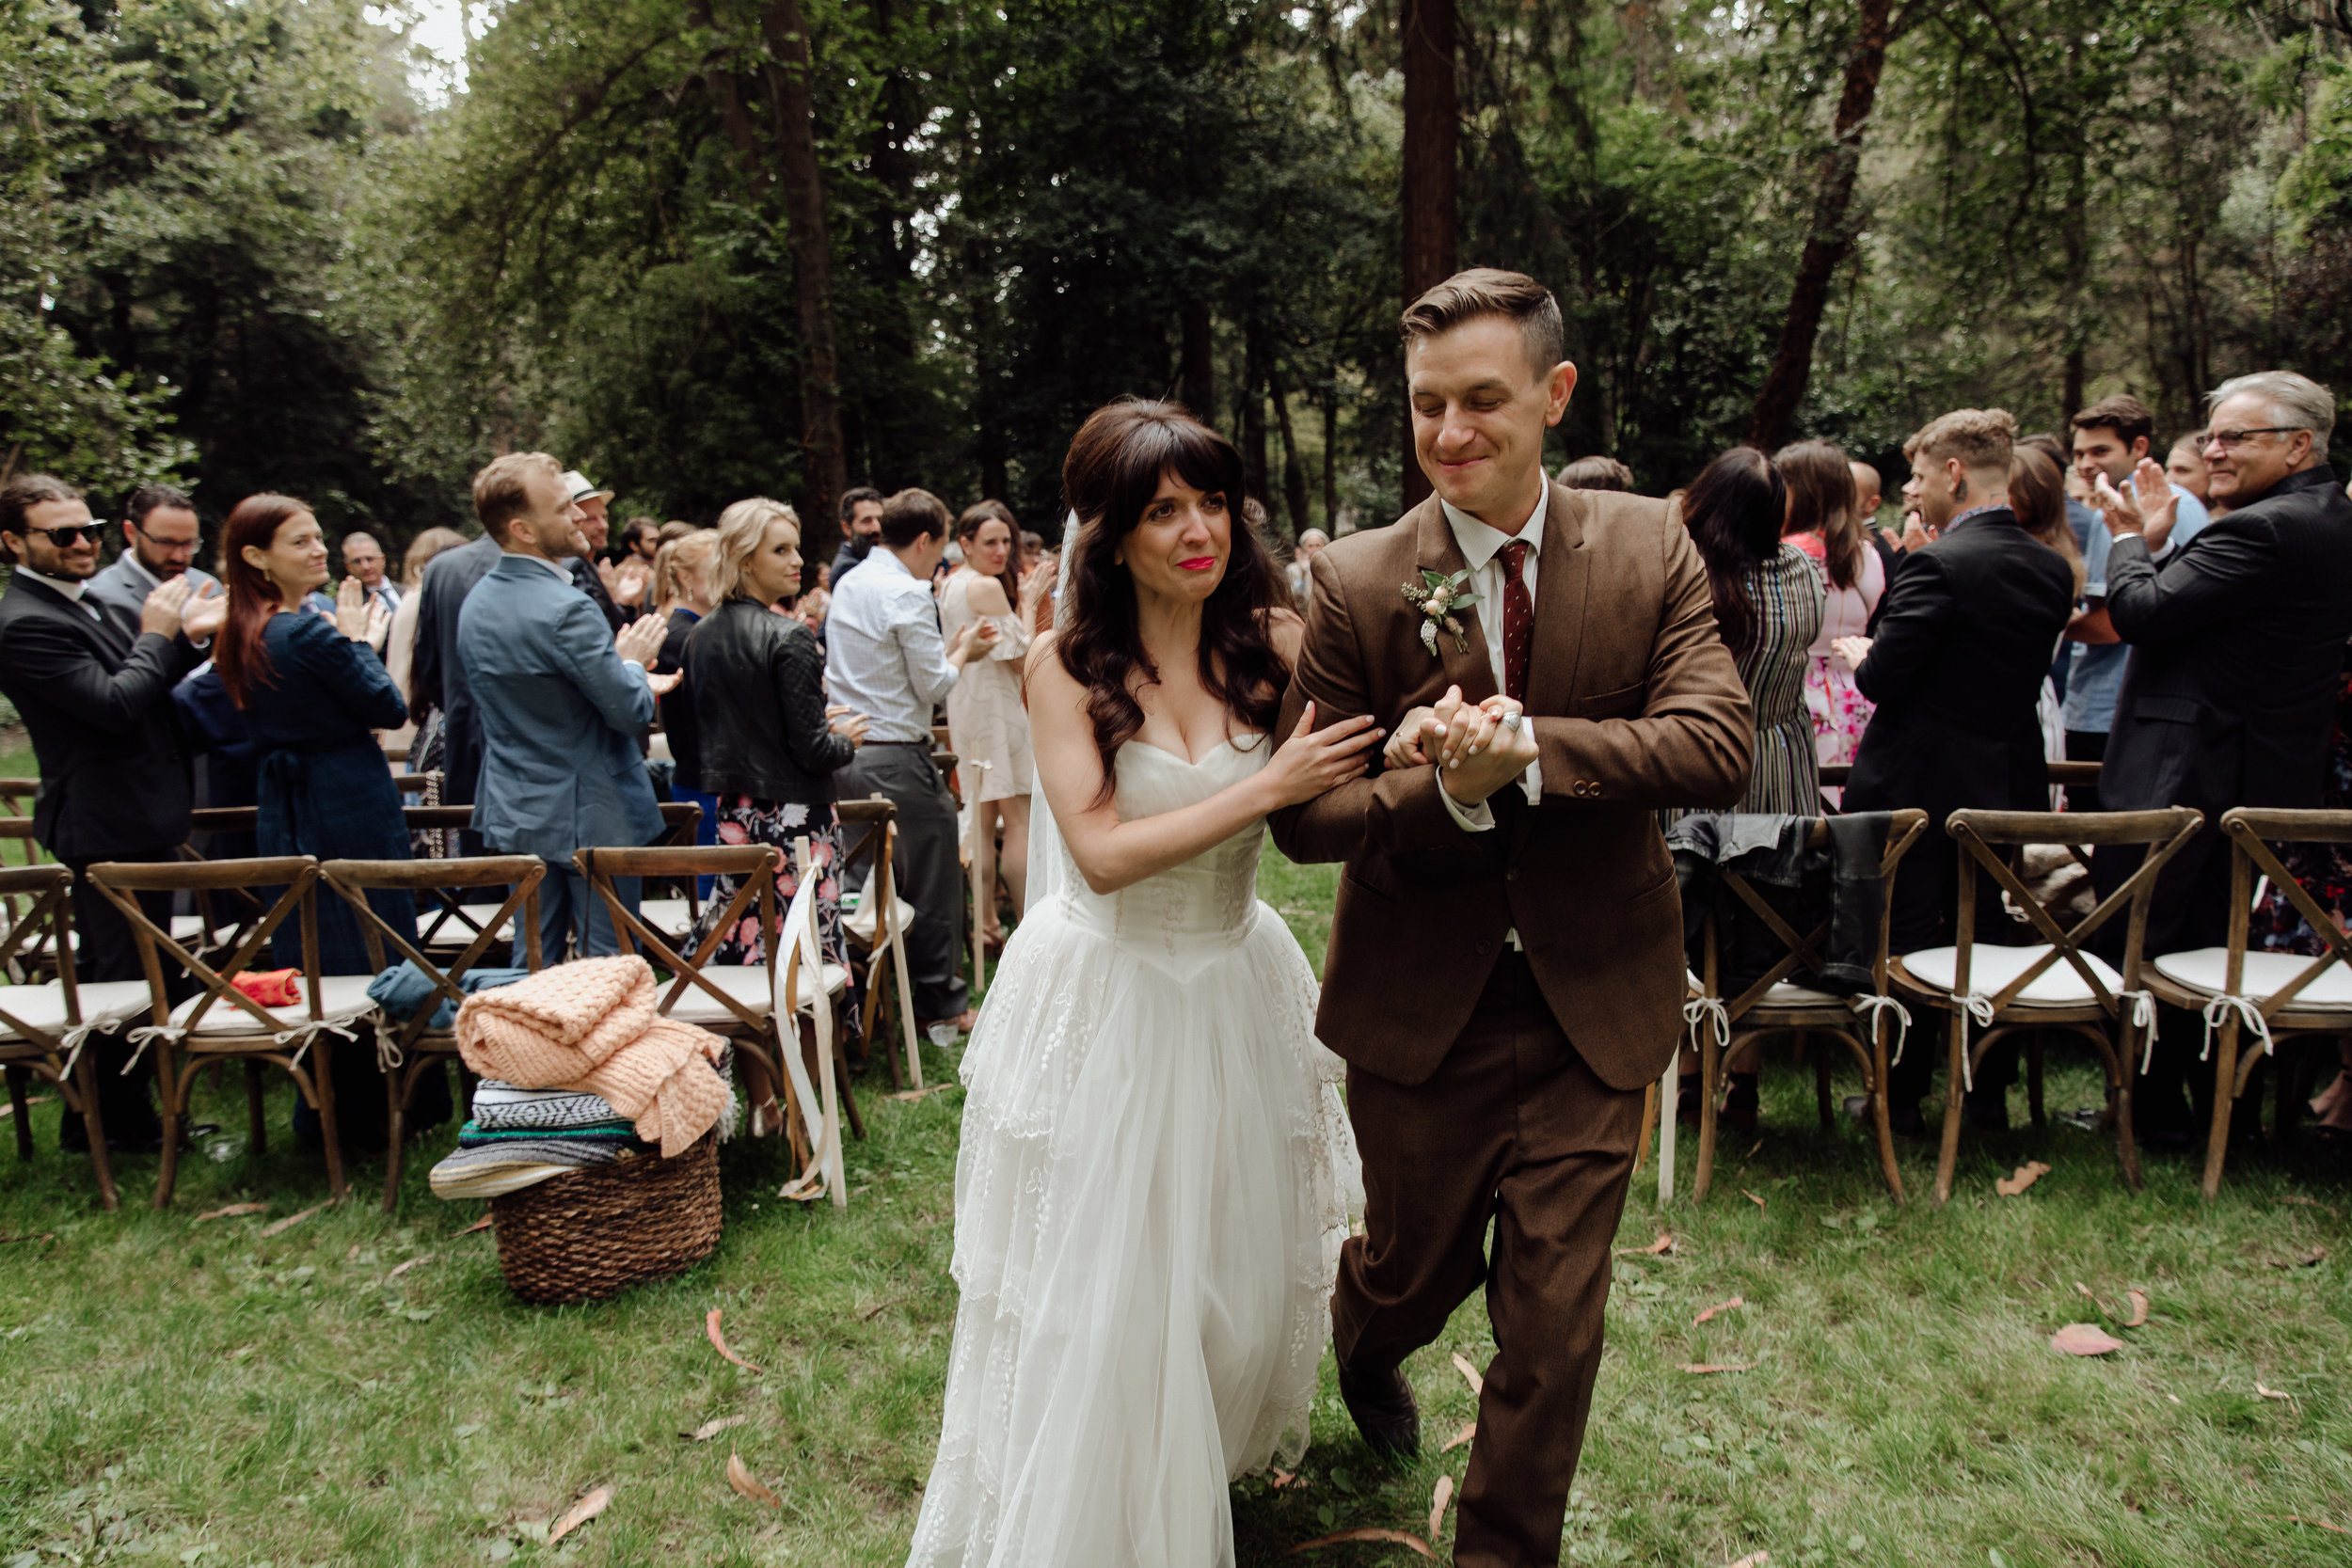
589	1026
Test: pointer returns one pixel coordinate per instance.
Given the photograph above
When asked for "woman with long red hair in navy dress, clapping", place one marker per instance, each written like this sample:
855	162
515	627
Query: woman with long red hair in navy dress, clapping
314	692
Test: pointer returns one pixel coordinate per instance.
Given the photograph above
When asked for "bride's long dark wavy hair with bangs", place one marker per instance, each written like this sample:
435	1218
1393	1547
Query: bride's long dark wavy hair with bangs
1111	476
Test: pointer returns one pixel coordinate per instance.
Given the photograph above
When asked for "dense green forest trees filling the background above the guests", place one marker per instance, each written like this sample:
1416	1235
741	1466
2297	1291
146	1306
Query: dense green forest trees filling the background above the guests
721	248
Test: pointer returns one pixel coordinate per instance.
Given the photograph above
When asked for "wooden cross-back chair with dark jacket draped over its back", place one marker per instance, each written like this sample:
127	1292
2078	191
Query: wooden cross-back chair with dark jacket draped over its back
1784	1003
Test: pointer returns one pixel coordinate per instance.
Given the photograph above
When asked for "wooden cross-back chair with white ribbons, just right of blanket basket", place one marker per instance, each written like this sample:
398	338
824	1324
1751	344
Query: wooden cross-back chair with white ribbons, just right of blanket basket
730	1000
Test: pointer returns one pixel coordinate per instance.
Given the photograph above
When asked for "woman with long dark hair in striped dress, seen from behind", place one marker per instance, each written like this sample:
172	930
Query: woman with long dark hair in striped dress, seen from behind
1768	605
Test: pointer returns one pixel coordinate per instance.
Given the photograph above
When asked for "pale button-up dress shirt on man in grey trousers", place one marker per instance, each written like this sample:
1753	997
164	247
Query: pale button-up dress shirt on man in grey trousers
886	652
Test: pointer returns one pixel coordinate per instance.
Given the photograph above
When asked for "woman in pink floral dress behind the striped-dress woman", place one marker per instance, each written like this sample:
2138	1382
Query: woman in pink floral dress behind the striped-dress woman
1824	523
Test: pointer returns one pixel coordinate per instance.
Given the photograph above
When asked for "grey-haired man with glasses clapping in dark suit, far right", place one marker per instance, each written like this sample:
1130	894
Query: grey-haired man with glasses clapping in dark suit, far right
2238	652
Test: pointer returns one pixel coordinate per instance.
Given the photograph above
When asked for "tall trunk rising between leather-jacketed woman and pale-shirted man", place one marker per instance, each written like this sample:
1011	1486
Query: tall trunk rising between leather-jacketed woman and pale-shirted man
813	272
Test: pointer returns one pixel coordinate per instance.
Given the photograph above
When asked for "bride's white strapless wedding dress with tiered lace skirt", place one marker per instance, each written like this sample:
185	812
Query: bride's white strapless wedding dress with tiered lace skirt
1154	1186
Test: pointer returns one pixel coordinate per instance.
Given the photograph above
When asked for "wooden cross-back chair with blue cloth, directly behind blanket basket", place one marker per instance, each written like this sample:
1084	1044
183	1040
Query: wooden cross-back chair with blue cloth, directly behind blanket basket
406	1052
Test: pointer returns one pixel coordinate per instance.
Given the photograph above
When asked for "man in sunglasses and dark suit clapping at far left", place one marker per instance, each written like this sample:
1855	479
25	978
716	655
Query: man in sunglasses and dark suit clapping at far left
95	692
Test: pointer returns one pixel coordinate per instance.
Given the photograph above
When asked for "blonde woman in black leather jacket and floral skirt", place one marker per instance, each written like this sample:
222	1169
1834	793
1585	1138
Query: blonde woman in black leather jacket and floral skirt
766	744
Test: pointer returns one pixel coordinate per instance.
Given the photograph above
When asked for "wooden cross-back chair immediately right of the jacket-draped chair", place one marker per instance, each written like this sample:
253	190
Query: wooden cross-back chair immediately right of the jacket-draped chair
2054	984
